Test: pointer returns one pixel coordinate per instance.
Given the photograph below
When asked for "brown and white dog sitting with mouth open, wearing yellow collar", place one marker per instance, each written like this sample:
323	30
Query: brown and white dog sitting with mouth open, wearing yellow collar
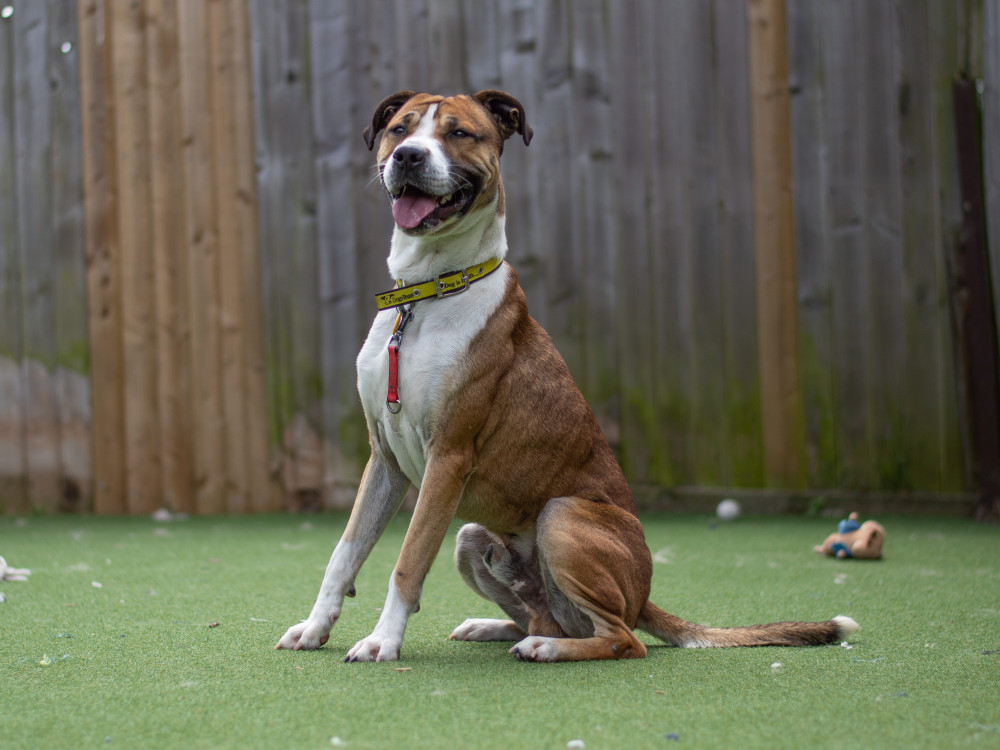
475	407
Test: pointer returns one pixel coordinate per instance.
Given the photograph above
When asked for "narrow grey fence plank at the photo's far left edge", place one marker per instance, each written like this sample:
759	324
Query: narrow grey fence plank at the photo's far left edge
13	462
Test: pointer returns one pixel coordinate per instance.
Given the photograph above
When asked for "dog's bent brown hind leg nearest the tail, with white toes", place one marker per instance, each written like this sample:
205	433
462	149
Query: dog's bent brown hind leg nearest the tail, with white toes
596	569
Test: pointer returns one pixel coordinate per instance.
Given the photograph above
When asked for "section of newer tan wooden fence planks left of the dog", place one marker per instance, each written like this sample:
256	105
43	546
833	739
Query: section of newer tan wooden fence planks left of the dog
171	226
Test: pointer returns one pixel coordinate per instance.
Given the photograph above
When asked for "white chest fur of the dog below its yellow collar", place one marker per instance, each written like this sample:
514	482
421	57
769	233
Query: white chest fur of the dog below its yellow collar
434	344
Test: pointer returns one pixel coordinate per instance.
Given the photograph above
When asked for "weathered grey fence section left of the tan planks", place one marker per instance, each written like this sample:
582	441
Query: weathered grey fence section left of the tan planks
45	459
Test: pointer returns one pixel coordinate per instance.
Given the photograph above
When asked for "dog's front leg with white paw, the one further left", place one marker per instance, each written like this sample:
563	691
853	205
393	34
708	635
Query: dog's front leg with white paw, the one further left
382	489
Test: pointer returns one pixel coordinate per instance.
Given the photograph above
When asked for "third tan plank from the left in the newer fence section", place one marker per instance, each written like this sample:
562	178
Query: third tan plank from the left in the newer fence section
169	233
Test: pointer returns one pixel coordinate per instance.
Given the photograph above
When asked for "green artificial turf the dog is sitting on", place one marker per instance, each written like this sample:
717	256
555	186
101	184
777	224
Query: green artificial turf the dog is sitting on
137	663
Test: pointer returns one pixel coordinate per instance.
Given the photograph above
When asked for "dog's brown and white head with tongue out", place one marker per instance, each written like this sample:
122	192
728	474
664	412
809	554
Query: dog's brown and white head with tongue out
439	158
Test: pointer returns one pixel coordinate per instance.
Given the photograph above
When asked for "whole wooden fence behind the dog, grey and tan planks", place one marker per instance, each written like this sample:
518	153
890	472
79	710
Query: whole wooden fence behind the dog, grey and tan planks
737	221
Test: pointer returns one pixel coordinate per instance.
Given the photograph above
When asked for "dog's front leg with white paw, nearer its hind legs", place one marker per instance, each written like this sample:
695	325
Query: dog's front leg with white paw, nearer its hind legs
440	493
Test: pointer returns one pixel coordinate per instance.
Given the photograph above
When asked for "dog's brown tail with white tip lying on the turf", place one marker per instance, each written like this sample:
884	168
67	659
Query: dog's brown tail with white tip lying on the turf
678	632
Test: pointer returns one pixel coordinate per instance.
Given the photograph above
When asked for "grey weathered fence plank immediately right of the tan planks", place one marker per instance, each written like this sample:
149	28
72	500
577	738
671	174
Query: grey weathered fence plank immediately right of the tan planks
288	232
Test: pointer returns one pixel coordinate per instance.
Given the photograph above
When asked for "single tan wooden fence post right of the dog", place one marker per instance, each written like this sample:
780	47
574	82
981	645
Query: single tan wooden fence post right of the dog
774	239
